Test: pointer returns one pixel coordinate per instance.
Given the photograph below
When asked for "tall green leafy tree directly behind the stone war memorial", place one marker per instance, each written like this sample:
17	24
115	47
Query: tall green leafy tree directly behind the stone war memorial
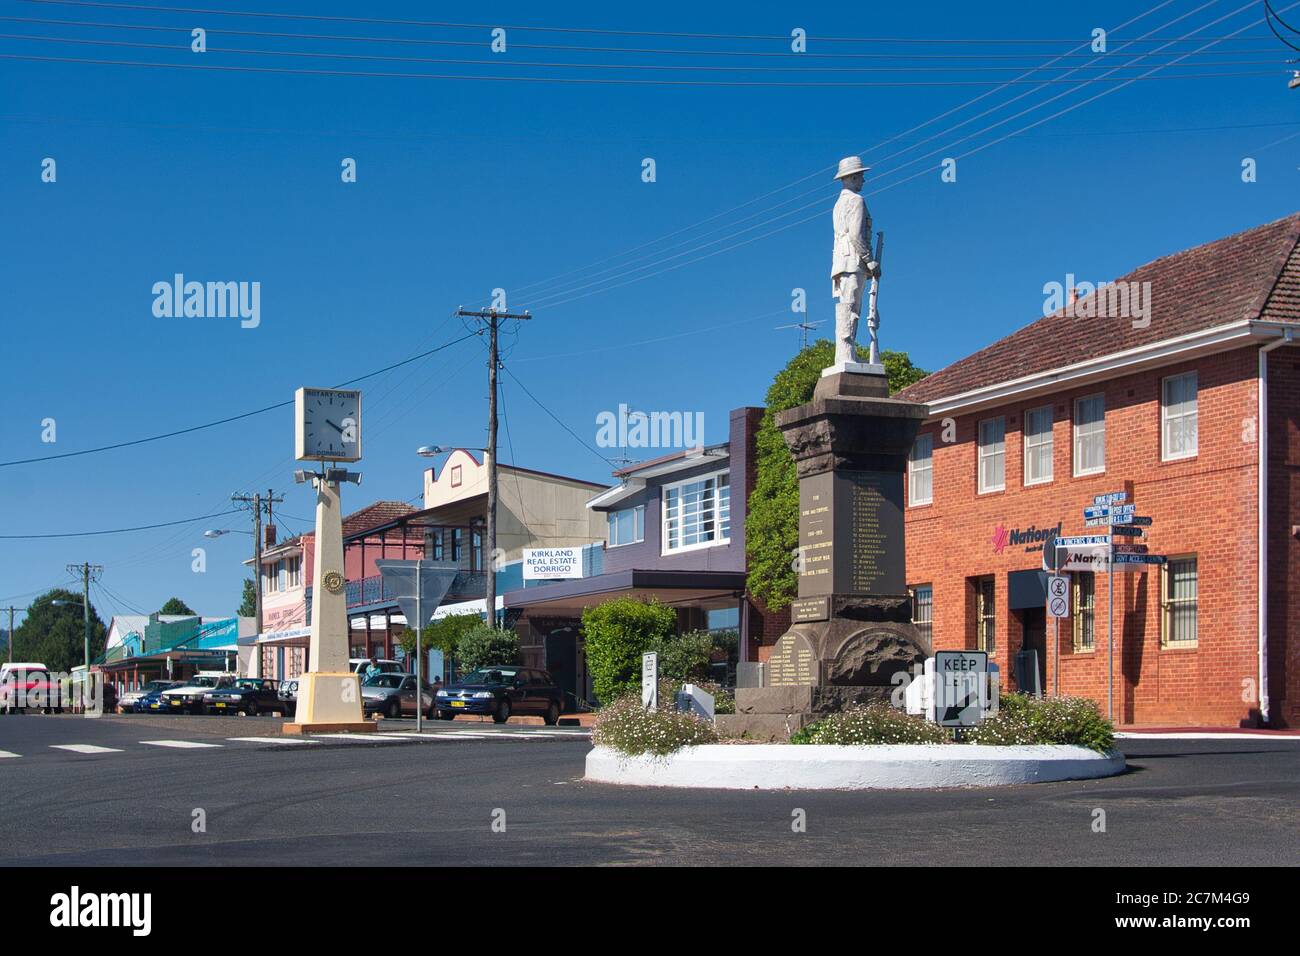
773	526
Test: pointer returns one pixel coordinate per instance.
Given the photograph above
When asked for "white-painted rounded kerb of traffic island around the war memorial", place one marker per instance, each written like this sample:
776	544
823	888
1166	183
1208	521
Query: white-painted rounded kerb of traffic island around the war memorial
822	767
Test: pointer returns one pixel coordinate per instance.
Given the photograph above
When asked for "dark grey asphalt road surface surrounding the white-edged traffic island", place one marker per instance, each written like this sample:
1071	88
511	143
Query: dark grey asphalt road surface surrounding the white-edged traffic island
435	801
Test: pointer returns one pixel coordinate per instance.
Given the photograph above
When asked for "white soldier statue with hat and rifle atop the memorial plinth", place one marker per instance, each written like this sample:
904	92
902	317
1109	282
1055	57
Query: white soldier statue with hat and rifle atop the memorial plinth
853	265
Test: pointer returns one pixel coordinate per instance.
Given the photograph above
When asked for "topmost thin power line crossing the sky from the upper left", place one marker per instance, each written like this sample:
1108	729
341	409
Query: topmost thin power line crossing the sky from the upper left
522	28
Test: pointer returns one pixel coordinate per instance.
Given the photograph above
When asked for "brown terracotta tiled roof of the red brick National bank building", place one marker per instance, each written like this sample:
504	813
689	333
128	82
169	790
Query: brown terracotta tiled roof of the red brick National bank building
1251	275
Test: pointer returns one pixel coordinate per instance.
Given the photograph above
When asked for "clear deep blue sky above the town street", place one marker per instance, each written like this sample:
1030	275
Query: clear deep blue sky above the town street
465	187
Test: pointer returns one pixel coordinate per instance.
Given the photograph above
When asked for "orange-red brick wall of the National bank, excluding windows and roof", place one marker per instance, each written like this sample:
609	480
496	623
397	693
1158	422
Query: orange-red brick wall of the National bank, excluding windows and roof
1204	507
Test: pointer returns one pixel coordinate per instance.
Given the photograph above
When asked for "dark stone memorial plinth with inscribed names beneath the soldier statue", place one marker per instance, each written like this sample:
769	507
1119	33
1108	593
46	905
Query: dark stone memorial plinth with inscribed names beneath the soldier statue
851	628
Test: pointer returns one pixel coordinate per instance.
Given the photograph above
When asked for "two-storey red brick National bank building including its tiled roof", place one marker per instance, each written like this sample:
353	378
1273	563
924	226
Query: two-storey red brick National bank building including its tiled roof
1190	405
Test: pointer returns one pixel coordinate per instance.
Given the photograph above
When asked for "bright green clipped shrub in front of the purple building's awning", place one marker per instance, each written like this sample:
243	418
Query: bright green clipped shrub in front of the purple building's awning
617	634
